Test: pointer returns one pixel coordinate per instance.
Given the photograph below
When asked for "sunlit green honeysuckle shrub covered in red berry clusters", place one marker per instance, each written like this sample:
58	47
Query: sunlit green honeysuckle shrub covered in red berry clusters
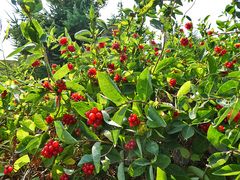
128	104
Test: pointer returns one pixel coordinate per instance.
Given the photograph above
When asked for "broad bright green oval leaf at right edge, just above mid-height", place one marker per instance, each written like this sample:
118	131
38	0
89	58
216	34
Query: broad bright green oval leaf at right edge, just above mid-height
228	87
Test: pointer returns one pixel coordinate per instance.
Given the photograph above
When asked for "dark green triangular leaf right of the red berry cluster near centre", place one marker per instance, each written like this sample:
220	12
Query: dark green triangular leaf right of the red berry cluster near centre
154	119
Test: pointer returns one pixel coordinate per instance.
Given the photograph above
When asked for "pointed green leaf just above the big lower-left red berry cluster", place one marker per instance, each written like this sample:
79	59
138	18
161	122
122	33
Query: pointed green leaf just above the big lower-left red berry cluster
63	134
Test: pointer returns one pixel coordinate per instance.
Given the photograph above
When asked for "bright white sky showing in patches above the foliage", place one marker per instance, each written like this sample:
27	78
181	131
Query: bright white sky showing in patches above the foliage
200	9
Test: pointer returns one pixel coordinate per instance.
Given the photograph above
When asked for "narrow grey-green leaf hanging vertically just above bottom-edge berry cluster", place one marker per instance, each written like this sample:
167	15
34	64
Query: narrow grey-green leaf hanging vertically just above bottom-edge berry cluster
96	155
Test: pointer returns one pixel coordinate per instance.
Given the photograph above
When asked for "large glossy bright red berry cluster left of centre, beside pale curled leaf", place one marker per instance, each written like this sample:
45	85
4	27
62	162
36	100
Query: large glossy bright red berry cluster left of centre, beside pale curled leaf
95	117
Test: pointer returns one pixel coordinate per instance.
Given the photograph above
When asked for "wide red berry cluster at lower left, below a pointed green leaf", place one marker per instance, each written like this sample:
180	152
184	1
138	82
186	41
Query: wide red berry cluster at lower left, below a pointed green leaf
51	148
